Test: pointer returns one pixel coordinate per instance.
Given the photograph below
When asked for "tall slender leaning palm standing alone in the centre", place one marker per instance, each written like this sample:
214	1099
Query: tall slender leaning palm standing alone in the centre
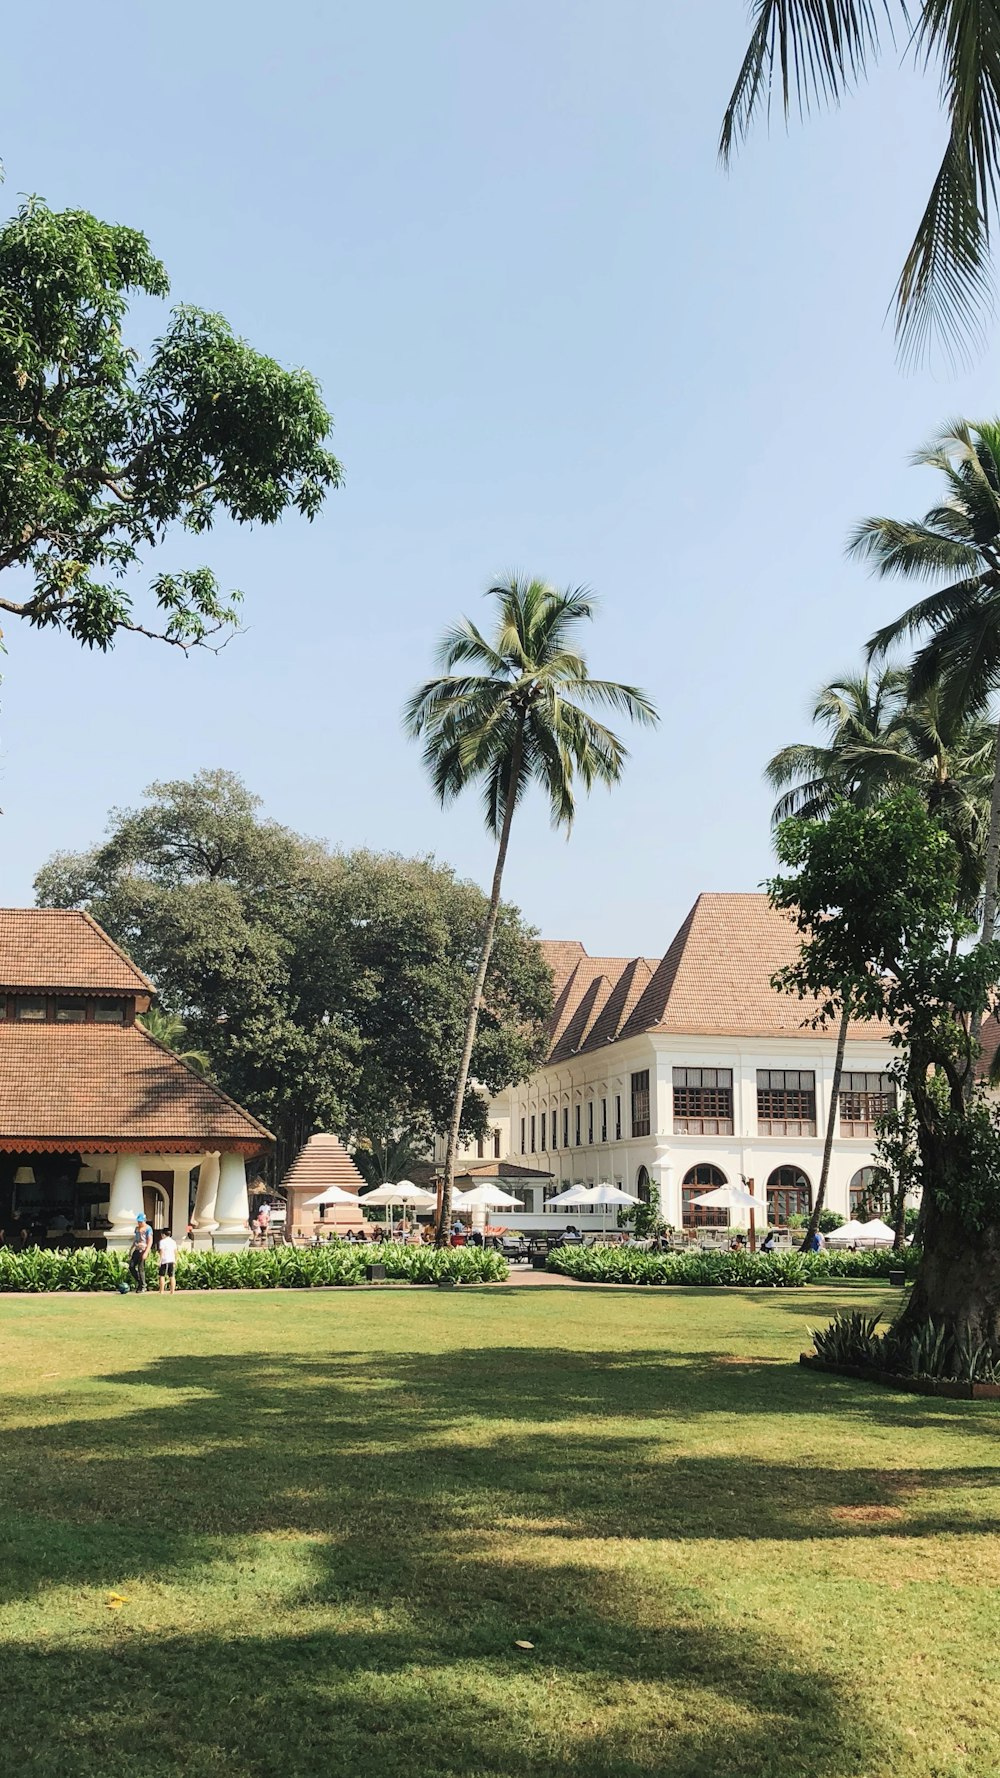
520	719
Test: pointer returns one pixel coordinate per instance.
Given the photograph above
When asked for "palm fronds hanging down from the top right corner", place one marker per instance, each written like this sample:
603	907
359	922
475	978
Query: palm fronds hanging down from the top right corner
821	51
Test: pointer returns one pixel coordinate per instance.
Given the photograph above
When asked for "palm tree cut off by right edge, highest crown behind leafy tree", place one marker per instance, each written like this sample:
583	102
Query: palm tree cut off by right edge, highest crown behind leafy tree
958	541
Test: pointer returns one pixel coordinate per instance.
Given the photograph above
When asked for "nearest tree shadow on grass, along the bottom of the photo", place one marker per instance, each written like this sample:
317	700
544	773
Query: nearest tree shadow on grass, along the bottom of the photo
421	1676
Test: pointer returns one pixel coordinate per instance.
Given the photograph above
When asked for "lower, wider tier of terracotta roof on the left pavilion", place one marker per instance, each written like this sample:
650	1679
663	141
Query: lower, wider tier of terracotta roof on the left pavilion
95	1082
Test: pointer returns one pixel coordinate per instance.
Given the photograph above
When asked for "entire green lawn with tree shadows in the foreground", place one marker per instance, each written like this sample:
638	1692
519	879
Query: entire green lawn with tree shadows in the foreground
334	1516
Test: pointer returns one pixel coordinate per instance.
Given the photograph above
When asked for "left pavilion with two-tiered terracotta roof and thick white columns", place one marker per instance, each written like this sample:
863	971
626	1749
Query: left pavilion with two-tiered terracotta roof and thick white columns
97	1119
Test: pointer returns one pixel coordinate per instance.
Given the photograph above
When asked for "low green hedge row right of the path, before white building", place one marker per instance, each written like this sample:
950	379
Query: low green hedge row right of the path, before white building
631	1265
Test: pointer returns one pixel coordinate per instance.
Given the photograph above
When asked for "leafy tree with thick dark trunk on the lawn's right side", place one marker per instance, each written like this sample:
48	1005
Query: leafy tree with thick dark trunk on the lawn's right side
873	892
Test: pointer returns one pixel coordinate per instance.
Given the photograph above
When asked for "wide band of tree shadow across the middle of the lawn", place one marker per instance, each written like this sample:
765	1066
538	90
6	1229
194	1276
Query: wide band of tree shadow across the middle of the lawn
410	1446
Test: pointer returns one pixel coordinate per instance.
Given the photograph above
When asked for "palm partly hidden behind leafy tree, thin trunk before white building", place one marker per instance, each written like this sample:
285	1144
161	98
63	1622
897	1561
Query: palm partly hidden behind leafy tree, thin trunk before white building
866	737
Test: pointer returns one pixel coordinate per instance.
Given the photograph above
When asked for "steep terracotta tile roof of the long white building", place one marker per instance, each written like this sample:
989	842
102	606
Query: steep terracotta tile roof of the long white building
713	982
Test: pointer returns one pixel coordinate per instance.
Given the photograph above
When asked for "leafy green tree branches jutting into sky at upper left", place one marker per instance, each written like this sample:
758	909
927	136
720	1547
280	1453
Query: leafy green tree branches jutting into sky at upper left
104	451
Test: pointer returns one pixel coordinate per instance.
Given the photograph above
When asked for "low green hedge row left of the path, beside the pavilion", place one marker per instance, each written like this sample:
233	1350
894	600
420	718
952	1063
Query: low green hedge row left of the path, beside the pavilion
280	1269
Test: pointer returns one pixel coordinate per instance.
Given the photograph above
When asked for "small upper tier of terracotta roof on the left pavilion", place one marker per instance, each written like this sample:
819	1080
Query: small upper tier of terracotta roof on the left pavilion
63	949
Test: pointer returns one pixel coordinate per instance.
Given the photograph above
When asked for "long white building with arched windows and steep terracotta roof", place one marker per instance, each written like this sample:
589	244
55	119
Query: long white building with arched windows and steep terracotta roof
693	1071
